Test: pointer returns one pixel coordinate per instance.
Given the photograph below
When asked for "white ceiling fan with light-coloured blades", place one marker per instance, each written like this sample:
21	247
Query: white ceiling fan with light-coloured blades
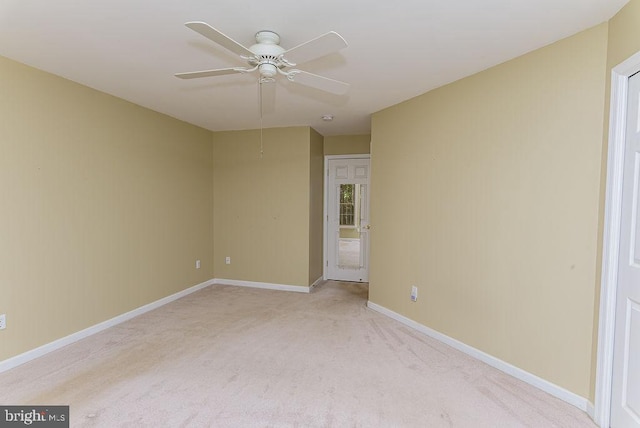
269	59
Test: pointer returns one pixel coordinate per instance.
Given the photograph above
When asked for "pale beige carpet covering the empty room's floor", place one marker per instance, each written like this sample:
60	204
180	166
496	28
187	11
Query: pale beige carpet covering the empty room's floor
238	357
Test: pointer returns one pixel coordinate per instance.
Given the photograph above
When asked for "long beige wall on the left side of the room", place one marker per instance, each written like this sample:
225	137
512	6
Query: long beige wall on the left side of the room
105	207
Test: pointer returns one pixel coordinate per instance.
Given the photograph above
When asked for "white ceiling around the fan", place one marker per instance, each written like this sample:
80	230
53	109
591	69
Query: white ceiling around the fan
397	50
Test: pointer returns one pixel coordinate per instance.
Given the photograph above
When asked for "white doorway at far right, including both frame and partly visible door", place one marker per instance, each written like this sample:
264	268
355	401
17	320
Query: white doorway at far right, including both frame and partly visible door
618	372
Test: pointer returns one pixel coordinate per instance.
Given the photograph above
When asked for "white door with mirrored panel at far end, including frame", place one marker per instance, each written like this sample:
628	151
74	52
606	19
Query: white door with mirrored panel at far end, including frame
348	220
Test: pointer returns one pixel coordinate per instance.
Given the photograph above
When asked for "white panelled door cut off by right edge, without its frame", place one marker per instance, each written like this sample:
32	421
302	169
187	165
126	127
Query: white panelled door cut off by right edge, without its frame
625	394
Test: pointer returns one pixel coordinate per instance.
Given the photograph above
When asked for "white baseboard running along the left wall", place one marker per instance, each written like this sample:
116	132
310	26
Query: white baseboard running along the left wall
67	340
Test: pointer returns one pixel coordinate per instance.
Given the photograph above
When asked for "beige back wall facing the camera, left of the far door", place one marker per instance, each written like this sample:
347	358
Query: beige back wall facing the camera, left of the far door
262	205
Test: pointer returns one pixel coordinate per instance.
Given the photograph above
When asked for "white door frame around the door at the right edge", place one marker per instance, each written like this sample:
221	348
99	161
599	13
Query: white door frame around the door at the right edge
620	75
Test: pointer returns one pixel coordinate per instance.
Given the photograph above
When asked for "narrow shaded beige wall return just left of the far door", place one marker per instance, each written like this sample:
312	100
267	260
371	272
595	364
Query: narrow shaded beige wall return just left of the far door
316	201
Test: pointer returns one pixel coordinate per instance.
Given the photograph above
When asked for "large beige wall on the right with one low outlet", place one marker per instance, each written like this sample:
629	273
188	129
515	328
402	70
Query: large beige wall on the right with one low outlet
485	195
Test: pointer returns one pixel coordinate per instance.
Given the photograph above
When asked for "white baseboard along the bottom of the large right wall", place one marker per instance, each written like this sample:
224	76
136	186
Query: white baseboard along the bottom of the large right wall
546	386
